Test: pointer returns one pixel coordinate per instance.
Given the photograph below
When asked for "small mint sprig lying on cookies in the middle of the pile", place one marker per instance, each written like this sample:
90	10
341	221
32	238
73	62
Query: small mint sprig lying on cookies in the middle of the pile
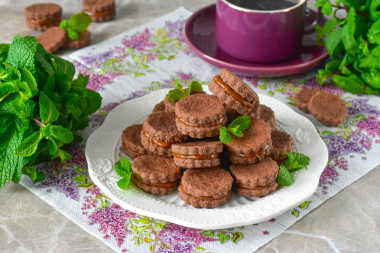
236	127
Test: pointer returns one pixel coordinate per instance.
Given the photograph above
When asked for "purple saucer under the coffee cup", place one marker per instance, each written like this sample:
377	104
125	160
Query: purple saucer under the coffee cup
199	32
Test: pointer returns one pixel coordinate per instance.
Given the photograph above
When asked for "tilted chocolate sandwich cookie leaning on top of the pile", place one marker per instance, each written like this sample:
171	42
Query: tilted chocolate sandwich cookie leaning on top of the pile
234	92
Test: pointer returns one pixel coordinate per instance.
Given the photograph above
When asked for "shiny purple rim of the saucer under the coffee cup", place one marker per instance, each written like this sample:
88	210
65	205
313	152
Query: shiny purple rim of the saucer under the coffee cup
258	71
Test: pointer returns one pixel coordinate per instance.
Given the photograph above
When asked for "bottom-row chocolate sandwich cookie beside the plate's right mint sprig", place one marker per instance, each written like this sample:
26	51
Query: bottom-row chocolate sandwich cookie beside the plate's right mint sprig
255	180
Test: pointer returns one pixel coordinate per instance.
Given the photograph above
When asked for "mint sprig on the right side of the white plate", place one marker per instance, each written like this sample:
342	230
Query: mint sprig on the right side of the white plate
295	162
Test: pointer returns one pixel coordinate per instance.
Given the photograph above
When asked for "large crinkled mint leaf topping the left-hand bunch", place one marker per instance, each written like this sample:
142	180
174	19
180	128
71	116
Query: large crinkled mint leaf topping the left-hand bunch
21	52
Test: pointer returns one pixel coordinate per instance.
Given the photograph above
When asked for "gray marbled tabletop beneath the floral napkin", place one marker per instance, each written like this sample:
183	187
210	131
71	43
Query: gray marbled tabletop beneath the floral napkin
348	222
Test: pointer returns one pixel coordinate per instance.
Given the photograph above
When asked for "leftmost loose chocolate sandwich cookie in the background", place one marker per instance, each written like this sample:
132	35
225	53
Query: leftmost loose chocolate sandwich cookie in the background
40	17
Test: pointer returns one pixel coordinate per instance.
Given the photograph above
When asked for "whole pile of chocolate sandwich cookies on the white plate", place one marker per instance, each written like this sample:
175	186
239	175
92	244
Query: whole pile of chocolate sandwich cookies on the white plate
184	134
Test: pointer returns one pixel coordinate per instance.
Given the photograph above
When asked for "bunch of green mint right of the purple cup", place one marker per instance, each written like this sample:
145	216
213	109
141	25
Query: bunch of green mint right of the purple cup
353	43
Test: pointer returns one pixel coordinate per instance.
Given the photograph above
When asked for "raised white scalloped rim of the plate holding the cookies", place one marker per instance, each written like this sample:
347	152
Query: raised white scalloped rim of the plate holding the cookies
172	218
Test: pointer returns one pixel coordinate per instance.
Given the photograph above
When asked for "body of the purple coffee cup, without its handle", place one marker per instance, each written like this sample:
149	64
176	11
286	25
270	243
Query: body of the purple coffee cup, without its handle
260	36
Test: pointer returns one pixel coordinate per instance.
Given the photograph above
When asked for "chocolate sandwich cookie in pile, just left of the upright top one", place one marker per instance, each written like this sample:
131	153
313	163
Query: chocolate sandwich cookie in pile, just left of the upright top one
160	132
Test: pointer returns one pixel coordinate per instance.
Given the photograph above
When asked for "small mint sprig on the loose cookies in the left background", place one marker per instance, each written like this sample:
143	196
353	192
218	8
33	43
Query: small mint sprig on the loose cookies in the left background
76	25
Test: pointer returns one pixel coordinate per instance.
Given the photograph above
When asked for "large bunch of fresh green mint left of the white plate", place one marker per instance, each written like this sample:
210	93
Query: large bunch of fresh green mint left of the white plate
40	108
